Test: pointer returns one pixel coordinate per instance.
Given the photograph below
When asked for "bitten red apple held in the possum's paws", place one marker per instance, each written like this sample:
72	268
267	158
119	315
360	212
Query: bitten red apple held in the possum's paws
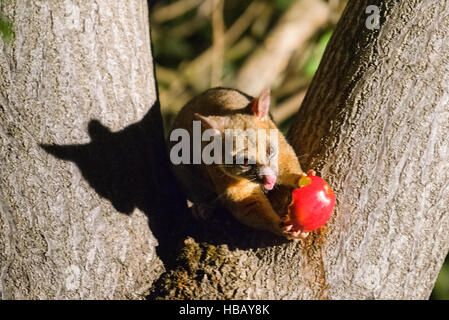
312	204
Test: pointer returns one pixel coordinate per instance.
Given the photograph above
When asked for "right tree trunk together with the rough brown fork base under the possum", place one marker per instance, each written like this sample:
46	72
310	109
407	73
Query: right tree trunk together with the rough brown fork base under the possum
374	124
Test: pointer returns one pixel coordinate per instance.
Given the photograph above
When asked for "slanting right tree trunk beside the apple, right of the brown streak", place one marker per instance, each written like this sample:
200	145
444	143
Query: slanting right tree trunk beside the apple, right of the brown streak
375	124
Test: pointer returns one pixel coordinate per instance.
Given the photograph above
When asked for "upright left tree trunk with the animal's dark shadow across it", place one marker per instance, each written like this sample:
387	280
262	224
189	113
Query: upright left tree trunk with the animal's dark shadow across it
80	139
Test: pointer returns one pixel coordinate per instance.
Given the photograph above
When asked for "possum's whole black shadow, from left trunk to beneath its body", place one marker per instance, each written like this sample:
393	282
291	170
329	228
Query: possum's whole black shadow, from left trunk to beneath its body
130	168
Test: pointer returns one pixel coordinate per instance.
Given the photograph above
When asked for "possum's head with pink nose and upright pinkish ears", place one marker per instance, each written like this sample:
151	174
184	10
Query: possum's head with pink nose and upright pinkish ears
249	142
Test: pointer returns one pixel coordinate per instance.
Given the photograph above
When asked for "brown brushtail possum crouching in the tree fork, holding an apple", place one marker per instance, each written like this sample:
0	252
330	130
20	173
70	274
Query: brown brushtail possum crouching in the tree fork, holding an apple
241	186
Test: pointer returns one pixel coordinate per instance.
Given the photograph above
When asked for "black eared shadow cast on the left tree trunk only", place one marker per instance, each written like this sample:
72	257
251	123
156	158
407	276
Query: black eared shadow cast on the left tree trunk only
129	168
